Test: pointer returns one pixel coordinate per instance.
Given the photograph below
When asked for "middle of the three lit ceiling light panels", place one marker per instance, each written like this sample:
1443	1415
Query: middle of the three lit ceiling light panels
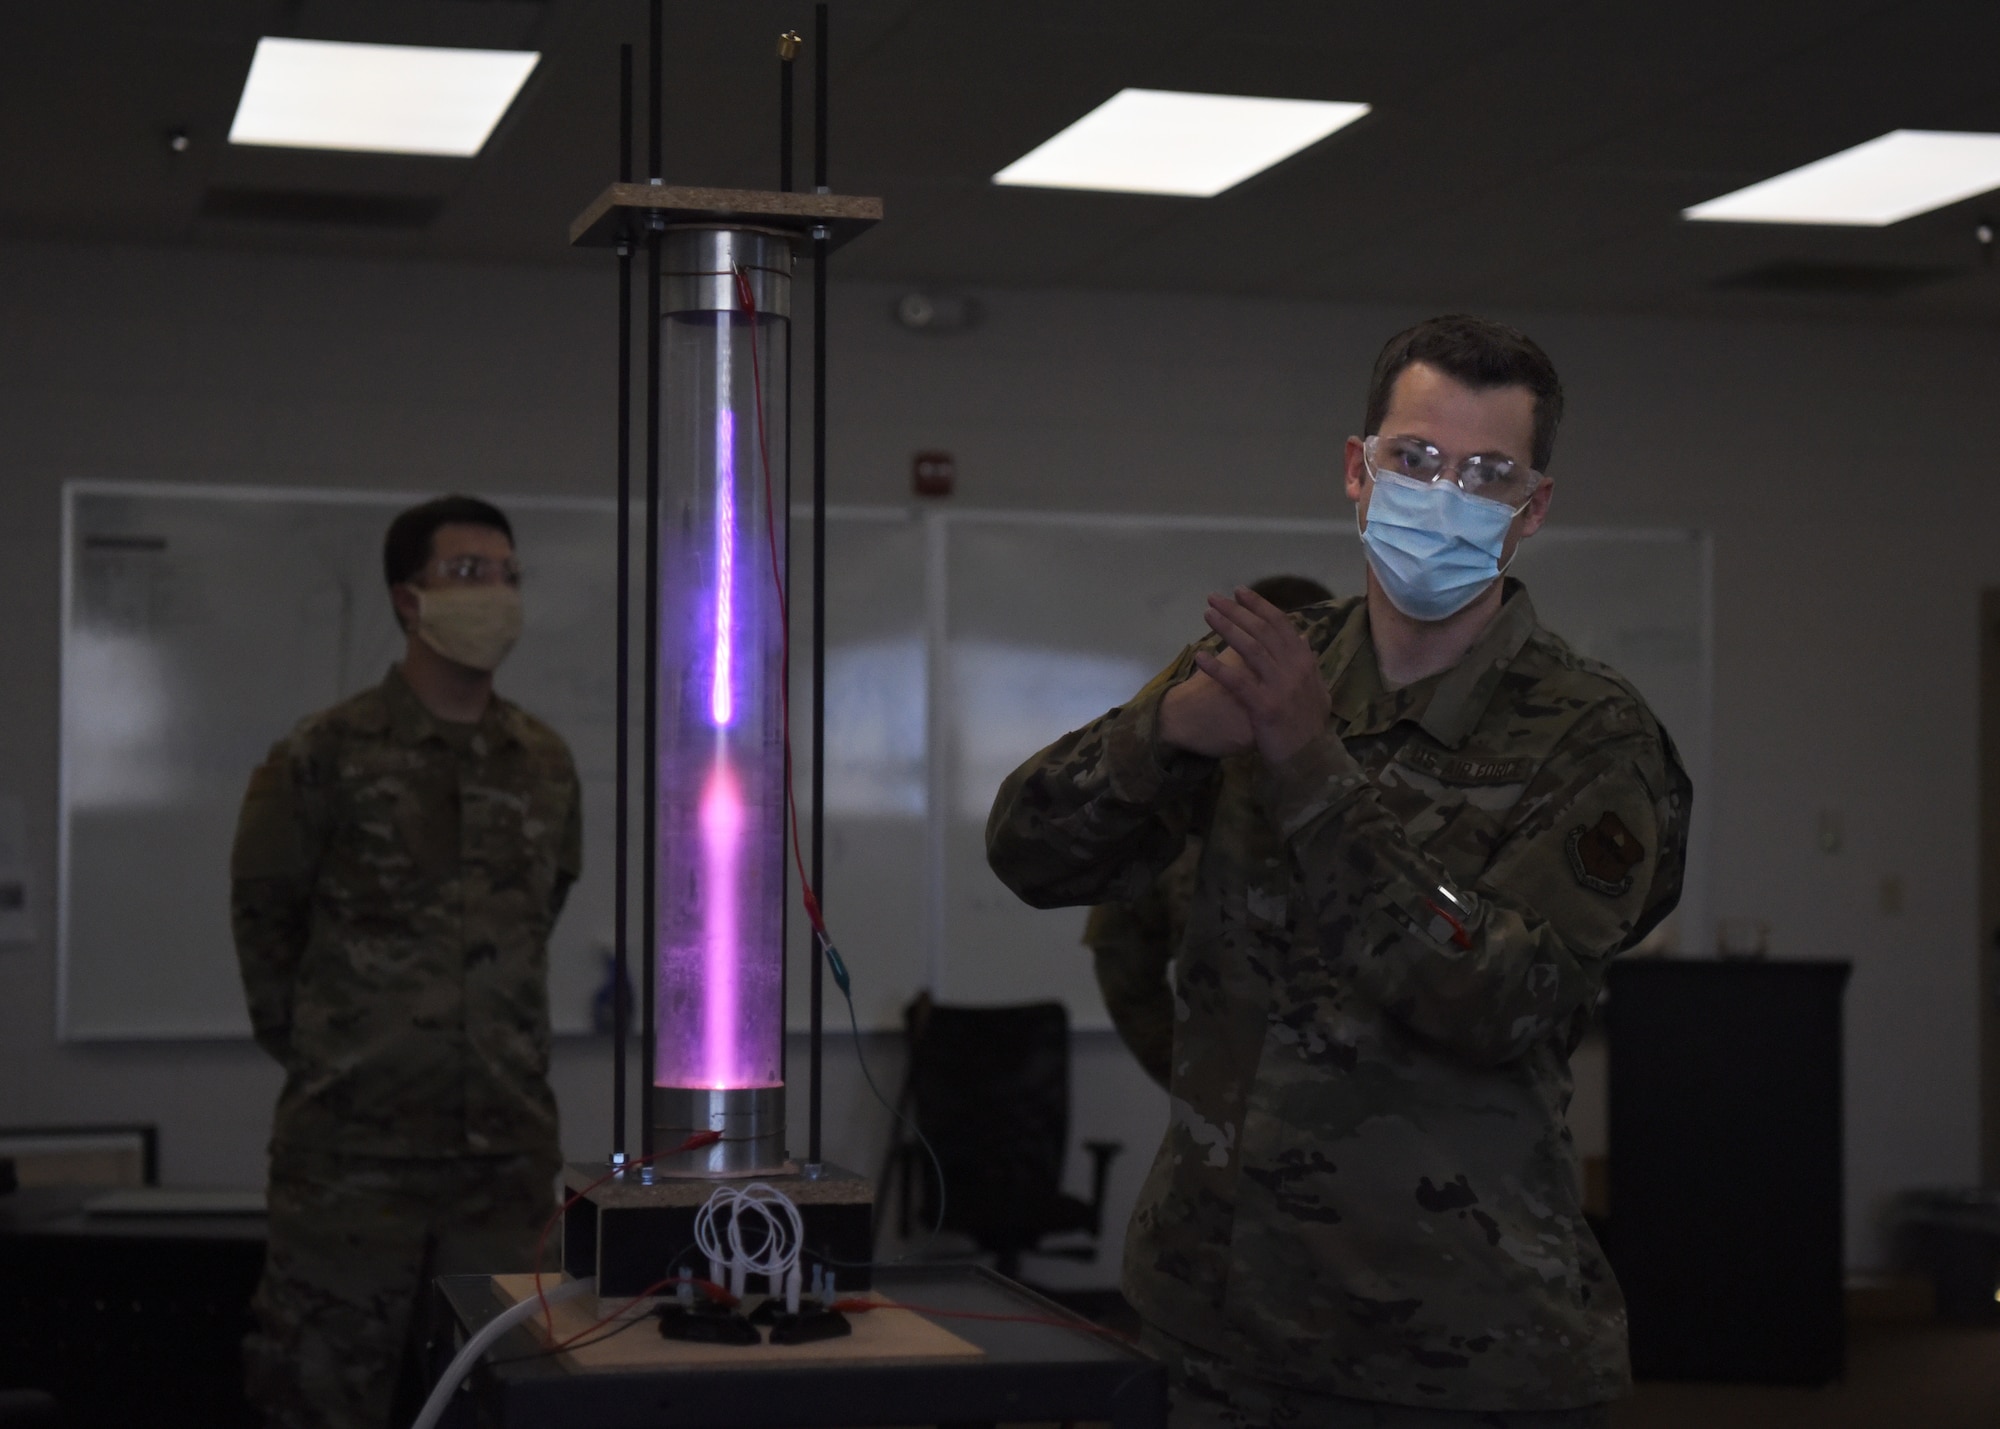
1167	143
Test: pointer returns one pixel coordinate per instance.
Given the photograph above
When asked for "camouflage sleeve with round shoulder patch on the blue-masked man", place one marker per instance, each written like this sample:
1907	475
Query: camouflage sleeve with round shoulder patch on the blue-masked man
1489	972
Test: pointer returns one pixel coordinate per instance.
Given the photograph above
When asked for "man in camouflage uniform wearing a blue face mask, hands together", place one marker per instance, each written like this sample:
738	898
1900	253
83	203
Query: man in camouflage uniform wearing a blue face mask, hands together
1427	826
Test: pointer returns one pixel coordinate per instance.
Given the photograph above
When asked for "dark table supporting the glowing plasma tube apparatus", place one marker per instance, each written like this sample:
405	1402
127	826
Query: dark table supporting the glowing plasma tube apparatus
1057	1372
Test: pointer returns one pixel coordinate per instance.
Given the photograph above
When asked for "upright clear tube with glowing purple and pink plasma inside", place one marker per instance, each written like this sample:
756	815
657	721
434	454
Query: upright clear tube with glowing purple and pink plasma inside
721	738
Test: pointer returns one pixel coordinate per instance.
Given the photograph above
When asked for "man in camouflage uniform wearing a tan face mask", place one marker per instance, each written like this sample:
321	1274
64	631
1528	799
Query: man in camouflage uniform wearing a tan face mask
399	866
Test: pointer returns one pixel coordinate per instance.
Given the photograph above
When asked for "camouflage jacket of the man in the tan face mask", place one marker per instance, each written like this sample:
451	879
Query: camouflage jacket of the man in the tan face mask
393	890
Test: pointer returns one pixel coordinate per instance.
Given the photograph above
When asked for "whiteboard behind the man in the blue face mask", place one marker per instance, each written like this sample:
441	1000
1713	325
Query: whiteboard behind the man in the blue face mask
1055	619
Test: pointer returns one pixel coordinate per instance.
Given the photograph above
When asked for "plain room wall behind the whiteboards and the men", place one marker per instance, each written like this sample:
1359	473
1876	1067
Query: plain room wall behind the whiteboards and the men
1837	467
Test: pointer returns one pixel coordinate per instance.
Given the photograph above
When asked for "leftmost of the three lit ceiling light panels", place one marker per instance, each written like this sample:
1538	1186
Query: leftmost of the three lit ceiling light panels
381	99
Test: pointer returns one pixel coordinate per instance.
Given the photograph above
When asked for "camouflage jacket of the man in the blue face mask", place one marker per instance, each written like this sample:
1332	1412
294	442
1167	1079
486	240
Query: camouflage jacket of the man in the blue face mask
1367	1186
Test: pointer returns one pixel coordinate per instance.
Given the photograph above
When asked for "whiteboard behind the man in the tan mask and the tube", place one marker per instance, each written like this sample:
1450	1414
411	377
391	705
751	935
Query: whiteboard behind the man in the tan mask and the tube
203	623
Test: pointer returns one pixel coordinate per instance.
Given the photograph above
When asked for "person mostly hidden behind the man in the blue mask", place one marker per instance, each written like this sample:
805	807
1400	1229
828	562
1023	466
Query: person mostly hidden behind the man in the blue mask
1133	944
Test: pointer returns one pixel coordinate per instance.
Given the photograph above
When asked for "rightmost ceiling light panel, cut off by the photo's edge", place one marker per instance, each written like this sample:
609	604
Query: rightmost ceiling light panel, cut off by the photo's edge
1879	183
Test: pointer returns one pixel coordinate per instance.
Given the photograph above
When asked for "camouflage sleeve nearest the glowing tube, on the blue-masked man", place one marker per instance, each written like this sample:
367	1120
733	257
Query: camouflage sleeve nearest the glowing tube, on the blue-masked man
1099	814
